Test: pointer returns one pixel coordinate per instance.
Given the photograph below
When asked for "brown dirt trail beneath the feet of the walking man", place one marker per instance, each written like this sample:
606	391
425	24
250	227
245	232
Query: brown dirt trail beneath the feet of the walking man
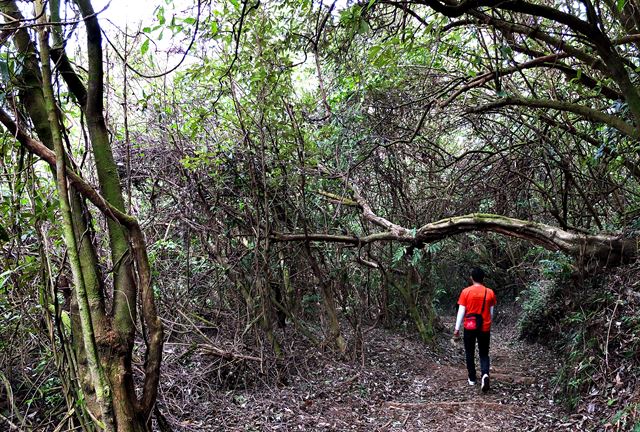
520	398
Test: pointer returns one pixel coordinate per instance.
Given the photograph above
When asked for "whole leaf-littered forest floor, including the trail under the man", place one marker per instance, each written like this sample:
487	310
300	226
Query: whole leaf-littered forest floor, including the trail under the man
398	384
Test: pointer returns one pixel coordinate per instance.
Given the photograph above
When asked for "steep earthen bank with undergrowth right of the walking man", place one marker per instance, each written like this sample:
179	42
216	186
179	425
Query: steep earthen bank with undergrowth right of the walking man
594	325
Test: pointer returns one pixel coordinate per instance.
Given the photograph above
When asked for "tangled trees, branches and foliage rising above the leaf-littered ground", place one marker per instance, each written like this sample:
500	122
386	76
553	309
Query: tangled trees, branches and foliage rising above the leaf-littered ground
322	166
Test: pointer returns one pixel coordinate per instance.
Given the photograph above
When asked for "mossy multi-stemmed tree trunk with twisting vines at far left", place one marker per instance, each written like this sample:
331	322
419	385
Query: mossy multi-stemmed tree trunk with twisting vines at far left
103	340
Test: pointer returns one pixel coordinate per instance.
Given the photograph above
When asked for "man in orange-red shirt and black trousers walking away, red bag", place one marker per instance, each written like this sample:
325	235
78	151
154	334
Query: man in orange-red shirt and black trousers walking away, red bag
475	312
